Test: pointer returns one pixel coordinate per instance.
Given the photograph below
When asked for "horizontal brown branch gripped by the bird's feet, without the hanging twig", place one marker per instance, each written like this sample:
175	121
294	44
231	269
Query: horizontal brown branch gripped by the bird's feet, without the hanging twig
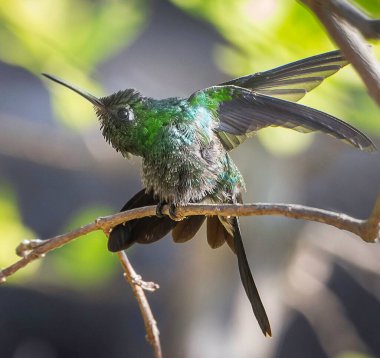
368	230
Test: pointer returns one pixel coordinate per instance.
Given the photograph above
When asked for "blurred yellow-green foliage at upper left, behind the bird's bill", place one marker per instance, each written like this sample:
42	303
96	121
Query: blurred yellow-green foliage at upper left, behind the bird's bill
68	38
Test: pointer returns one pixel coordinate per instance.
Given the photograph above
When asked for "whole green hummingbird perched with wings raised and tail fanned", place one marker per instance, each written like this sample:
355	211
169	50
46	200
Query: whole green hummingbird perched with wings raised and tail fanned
185	143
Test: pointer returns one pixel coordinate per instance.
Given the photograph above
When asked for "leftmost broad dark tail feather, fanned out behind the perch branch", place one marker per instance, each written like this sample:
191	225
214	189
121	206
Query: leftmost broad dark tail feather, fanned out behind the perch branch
145	230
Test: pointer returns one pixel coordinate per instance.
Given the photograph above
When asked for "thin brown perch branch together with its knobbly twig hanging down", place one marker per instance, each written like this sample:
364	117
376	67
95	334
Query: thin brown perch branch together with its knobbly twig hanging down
368	230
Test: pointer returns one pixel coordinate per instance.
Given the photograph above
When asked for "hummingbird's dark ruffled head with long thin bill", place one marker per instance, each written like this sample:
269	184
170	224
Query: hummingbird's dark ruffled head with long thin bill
115	112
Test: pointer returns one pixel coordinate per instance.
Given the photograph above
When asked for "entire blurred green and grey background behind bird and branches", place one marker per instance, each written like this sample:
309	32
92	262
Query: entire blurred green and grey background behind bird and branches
57	173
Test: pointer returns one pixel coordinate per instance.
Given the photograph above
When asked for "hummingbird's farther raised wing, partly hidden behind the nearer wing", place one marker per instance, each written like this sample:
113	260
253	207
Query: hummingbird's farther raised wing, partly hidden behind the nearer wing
292	81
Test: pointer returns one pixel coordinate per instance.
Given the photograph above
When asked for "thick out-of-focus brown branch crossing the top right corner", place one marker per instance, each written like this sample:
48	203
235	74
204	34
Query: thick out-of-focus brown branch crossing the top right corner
345	23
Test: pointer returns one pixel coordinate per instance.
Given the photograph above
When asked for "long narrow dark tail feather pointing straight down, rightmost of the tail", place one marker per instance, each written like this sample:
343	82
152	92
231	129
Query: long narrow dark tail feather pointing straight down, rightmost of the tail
248	283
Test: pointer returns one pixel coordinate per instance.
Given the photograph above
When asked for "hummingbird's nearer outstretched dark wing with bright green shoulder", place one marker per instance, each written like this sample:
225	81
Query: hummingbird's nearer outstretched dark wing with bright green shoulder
242	112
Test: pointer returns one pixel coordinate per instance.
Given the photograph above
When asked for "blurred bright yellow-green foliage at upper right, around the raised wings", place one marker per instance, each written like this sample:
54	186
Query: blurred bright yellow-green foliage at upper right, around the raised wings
262	34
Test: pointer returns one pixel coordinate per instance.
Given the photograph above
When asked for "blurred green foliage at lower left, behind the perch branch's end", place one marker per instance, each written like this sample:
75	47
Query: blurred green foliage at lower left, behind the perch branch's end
83	263
